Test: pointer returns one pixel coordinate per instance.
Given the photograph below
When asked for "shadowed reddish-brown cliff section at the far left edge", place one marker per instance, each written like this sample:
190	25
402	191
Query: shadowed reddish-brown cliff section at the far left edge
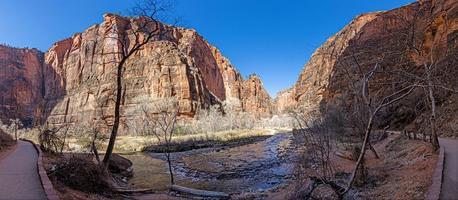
21	79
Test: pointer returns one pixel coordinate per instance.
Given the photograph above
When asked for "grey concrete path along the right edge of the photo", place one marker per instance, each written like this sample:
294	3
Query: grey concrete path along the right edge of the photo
449	189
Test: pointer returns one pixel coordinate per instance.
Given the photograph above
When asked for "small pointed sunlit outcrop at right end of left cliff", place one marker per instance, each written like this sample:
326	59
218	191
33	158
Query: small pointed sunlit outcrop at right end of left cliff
255	98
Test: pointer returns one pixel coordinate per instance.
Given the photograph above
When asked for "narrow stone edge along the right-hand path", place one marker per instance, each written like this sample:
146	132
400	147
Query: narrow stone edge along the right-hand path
435	188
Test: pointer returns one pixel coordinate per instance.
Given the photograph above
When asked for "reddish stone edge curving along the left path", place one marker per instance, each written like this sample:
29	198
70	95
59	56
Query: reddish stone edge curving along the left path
51	193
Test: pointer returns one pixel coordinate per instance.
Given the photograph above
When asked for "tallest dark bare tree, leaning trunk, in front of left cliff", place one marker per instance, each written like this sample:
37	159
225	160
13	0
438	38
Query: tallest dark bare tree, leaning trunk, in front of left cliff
146	28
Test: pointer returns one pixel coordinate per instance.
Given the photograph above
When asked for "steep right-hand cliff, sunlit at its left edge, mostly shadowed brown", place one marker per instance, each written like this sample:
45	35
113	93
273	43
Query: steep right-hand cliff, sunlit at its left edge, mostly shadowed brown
385	37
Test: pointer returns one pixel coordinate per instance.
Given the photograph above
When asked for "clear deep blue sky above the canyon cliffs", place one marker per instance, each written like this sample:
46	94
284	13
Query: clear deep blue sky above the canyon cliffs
272	38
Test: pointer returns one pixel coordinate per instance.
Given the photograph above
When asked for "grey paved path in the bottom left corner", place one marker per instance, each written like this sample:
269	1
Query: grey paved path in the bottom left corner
19	176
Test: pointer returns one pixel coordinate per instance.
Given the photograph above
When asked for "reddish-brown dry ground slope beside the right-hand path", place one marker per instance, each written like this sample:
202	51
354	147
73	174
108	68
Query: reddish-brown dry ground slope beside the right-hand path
404	172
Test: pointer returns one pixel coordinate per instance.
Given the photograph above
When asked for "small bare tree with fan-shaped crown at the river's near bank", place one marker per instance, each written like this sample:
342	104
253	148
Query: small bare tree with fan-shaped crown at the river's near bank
161	115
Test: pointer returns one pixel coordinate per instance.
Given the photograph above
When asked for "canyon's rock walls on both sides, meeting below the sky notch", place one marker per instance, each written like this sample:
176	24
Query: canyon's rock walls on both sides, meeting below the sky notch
72	80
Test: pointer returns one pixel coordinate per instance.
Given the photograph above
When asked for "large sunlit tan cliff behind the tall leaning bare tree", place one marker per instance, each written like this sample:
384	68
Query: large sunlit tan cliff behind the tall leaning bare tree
181	64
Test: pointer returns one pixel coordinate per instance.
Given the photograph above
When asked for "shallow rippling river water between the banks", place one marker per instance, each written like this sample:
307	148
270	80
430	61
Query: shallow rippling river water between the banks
254	167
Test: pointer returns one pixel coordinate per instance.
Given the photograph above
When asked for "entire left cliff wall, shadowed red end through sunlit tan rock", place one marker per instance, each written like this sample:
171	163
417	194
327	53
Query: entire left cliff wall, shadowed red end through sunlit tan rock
75	79
